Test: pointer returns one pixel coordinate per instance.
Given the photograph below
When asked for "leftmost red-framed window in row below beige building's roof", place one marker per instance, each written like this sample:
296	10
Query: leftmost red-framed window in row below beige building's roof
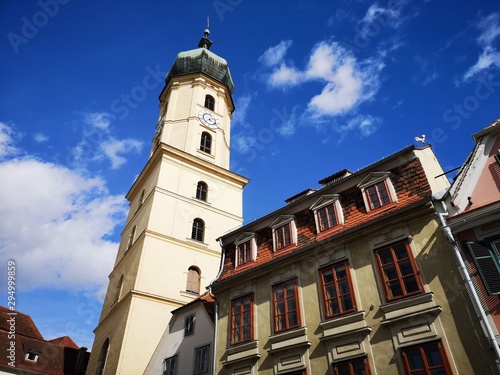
241	320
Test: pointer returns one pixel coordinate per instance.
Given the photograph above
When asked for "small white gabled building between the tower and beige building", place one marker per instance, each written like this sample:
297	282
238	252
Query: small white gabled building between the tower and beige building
186	346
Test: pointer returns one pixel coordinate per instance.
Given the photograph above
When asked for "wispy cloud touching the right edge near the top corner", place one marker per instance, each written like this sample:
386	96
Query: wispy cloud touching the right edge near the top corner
489	57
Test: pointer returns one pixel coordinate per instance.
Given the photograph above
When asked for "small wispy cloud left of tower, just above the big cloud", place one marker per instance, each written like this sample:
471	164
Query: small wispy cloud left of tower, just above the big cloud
98	143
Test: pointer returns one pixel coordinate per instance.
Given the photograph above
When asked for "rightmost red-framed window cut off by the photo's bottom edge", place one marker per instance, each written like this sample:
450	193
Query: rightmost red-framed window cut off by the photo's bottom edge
426	359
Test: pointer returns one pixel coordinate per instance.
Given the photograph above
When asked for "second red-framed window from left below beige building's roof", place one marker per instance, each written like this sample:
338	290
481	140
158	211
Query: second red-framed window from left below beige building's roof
286	306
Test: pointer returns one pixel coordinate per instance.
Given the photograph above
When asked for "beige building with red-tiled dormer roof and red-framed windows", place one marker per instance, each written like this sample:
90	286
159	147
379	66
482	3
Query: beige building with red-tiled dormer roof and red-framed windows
353	278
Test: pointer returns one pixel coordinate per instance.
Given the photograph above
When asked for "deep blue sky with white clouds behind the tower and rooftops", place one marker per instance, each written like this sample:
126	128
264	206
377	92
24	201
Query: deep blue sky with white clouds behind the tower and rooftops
319	86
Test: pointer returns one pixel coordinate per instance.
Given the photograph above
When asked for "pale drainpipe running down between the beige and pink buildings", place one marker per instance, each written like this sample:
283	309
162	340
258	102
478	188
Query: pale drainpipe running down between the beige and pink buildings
468	281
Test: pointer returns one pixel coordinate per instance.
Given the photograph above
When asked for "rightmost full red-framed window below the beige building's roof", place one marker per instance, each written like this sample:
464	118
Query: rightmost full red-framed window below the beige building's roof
398	271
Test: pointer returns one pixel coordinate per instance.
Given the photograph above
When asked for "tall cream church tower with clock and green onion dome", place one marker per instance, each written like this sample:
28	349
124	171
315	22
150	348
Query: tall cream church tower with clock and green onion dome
181	202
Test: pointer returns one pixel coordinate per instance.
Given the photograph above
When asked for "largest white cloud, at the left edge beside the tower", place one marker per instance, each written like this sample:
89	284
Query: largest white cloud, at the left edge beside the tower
54	222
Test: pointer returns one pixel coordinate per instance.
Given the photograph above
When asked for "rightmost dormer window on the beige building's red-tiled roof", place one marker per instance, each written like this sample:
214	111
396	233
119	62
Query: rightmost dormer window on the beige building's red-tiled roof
377	190
